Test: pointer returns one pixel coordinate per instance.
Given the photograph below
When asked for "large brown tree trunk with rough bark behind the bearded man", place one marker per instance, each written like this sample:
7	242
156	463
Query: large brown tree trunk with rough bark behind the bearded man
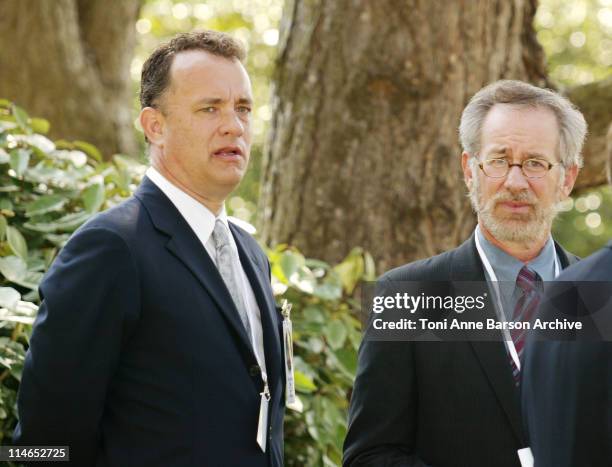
364	147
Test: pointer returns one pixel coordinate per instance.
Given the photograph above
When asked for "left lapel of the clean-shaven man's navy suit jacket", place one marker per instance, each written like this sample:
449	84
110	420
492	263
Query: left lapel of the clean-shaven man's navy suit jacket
187	248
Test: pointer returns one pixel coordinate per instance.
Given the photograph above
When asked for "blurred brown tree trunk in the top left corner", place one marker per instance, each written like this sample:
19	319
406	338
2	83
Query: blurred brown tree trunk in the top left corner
68	61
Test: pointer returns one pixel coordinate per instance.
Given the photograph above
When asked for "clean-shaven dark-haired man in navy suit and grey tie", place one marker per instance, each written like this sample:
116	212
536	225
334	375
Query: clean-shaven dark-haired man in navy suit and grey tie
157	341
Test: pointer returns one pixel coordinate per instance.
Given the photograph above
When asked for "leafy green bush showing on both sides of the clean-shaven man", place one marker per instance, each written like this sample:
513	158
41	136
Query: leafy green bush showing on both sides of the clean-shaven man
48	189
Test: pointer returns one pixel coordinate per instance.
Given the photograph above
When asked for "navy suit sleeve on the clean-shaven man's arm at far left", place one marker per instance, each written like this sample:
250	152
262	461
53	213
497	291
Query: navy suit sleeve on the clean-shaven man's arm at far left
90	303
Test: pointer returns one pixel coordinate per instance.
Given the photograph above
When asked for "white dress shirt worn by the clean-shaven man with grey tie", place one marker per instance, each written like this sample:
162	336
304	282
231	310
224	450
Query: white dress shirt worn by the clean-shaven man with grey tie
202	222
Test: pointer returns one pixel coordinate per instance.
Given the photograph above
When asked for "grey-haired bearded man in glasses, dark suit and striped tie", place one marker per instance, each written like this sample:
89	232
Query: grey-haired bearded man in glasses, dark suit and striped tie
456	404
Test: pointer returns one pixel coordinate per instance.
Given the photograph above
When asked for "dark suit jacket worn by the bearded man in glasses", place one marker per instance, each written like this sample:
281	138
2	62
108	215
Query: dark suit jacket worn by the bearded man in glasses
441	404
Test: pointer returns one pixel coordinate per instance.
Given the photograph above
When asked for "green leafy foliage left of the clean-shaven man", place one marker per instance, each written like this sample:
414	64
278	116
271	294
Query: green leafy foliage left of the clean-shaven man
47	190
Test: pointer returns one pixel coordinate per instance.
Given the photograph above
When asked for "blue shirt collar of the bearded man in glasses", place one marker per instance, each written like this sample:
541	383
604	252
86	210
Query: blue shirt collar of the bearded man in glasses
507	267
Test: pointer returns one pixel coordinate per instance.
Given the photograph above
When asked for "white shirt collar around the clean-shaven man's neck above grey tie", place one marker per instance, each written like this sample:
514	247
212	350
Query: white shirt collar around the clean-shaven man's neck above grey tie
199	217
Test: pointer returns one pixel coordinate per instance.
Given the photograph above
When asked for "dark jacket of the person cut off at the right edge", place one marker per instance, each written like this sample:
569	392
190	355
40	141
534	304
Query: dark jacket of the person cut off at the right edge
567	387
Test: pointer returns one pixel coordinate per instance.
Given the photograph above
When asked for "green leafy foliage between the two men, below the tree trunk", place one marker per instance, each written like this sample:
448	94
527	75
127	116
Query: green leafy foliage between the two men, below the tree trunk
326	336
